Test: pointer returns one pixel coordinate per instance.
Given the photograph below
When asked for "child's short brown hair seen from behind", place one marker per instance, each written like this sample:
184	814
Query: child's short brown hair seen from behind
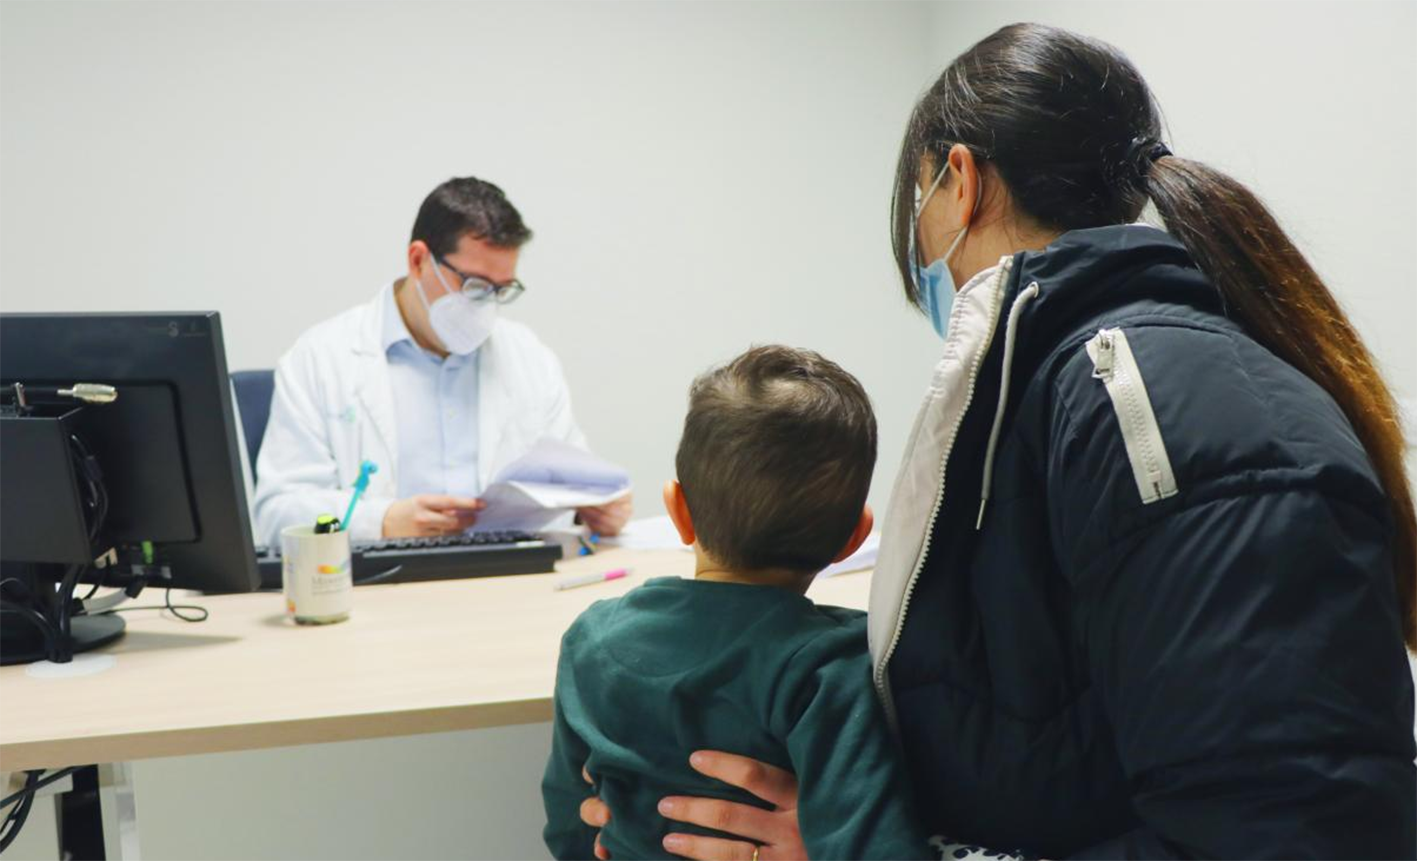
776	460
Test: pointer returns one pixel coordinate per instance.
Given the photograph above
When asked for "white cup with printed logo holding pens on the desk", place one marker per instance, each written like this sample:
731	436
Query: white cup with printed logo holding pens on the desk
315	576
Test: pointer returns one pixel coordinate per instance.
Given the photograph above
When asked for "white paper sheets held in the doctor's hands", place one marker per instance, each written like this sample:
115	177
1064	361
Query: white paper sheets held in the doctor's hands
548	482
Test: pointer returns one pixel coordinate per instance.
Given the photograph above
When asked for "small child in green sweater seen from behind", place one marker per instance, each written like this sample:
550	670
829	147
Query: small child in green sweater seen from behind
774	467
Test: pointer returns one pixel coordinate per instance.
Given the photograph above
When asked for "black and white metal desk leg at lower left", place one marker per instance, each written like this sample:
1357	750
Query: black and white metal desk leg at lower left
98	819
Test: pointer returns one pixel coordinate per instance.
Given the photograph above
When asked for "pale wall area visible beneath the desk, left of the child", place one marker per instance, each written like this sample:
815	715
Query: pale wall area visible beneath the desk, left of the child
456	795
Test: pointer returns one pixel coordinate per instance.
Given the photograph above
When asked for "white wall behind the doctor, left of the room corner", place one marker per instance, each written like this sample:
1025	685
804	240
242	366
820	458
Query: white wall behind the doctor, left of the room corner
701	176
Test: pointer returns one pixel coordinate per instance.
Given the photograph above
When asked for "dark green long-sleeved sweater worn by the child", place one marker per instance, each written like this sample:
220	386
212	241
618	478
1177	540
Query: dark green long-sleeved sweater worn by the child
678	666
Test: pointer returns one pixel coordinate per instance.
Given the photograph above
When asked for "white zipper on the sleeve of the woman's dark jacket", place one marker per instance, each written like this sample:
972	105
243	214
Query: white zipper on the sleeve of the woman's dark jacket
1114	365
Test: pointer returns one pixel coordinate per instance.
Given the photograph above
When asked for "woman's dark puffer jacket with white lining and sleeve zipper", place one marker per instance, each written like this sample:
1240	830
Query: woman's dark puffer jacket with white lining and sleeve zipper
1175	634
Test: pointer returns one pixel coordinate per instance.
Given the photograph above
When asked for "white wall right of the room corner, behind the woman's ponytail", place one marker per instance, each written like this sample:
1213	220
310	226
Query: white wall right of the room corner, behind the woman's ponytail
1310	104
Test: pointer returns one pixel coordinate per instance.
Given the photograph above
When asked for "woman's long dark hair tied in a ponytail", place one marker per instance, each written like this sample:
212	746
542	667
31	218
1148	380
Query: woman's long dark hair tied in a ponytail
1071	128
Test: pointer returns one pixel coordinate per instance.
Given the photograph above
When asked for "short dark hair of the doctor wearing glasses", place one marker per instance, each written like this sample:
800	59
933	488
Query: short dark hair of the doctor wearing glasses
474	207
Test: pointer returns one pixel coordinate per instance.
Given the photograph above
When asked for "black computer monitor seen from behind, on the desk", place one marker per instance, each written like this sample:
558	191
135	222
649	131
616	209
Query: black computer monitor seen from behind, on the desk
165	450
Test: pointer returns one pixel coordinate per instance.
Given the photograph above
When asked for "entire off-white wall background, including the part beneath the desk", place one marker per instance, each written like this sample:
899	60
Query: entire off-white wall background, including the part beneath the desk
701	176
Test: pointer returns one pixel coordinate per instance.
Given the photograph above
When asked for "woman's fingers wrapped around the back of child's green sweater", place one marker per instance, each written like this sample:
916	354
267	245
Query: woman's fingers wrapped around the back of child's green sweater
769	835
